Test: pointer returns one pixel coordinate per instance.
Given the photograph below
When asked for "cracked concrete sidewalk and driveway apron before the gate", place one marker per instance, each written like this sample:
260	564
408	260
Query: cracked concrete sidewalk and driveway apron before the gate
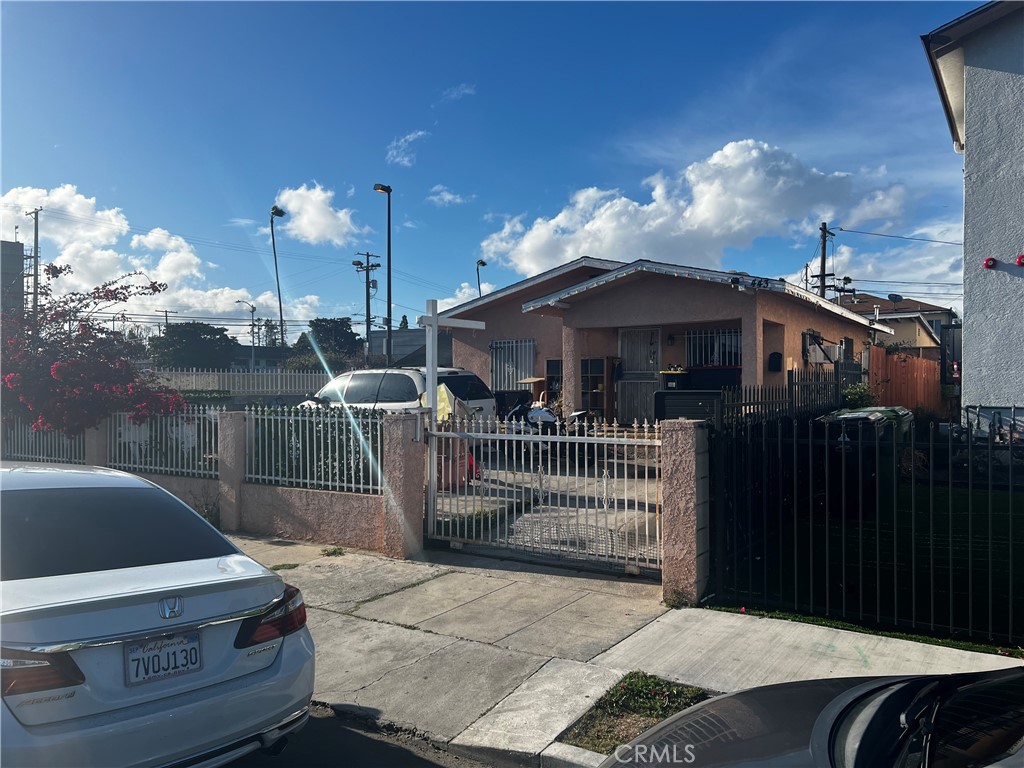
496	659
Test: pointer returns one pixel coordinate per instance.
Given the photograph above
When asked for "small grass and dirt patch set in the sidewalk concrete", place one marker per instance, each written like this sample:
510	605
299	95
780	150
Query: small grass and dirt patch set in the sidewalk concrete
632	706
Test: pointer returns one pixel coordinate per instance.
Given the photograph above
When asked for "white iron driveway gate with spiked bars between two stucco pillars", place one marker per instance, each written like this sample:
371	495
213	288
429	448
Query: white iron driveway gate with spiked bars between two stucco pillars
589	494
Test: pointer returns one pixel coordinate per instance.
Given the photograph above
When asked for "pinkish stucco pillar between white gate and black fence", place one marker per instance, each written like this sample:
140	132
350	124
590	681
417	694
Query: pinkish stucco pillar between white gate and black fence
687	508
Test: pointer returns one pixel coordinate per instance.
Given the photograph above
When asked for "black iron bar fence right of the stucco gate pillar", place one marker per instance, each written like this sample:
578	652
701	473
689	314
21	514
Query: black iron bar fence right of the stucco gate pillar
886	524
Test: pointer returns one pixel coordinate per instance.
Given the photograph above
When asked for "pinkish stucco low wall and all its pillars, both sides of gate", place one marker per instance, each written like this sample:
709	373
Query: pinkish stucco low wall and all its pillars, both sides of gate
393	524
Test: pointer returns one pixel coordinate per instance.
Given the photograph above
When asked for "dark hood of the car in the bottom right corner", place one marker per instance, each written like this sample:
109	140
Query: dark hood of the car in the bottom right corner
769	727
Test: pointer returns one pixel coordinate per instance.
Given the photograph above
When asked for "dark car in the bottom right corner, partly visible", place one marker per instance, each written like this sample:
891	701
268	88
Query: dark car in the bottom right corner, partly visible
945	721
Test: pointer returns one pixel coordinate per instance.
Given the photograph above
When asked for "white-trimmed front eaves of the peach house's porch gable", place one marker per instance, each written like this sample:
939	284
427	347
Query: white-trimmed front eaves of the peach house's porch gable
740	280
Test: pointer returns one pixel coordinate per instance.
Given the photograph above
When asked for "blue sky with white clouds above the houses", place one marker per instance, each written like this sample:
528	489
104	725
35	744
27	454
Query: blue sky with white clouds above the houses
157	137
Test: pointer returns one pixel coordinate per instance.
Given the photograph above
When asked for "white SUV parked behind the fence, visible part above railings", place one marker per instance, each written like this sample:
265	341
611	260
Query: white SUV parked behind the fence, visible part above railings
401	389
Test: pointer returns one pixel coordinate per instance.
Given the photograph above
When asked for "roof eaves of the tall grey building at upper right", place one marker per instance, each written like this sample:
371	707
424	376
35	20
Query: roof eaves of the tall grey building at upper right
946	57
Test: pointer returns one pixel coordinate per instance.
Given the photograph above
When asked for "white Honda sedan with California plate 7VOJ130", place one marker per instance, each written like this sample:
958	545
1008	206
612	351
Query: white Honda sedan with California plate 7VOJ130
133	633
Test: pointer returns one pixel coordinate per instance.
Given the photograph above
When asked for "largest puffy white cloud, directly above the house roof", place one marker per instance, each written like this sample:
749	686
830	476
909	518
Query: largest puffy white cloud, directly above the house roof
747	190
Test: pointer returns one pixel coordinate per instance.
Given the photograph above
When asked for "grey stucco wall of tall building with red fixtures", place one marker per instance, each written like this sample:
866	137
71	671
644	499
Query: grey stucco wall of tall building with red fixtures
994	225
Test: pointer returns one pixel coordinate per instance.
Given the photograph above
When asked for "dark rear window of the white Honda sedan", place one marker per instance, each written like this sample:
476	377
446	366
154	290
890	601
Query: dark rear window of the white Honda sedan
55	532
